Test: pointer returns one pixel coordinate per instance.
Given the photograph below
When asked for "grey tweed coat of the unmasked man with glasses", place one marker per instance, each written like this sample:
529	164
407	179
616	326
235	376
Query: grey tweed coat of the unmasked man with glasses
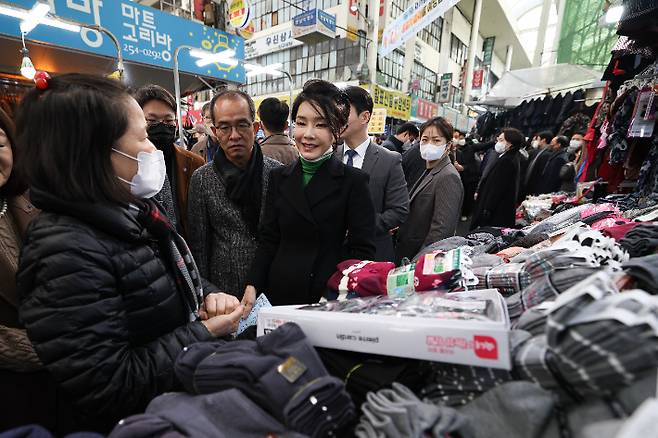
220	240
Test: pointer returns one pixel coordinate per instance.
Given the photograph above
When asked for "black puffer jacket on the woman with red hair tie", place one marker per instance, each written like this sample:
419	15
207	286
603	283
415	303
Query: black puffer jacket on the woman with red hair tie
100	307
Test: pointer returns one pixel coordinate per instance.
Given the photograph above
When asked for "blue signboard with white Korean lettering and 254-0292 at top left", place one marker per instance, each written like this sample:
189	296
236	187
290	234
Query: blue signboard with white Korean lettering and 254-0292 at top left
146	35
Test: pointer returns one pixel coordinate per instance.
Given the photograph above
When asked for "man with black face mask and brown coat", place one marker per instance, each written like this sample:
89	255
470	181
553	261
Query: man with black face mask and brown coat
159	108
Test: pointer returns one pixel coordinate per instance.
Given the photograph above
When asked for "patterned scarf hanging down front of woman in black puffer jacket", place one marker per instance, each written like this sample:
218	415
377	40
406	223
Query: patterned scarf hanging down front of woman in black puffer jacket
186	273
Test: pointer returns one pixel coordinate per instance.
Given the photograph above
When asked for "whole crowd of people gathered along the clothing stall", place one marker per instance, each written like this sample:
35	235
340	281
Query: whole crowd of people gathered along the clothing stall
136	248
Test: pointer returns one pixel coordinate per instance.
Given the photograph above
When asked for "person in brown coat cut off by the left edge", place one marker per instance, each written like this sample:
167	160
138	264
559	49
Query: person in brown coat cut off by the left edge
21	372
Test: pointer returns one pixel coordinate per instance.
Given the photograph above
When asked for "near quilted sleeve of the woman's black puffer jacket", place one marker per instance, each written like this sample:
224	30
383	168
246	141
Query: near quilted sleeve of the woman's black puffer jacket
73	310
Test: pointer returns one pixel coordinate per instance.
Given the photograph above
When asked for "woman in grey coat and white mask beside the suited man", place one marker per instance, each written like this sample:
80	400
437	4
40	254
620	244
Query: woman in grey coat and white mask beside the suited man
436	198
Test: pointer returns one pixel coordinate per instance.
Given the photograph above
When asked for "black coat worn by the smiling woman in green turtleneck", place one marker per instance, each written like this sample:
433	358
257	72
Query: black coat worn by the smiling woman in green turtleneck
303	236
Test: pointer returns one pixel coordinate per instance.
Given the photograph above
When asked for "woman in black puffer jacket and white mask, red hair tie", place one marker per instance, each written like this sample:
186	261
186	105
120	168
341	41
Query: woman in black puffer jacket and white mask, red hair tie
110	294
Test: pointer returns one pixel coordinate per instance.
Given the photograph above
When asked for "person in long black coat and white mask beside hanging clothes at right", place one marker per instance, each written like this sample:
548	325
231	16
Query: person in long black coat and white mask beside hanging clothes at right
497	195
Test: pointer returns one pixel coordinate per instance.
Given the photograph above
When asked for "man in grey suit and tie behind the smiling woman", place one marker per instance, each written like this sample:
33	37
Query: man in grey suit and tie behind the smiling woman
388	187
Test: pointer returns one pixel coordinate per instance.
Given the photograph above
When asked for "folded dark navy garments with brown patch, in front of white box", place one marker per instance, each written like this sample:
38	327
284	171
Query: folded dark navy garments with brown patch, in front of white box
280	371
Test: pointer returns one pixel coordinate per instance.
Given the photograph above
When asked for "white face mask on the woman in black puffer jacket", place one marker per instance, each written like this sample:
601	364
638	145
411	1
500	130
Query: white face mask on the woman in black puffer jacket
151	172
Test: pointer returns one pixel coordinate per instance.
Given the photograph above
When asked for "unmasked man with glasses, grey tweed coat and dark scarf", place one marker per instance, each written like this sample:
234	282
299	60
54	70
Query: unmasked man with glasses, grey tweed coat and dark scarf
227	195
